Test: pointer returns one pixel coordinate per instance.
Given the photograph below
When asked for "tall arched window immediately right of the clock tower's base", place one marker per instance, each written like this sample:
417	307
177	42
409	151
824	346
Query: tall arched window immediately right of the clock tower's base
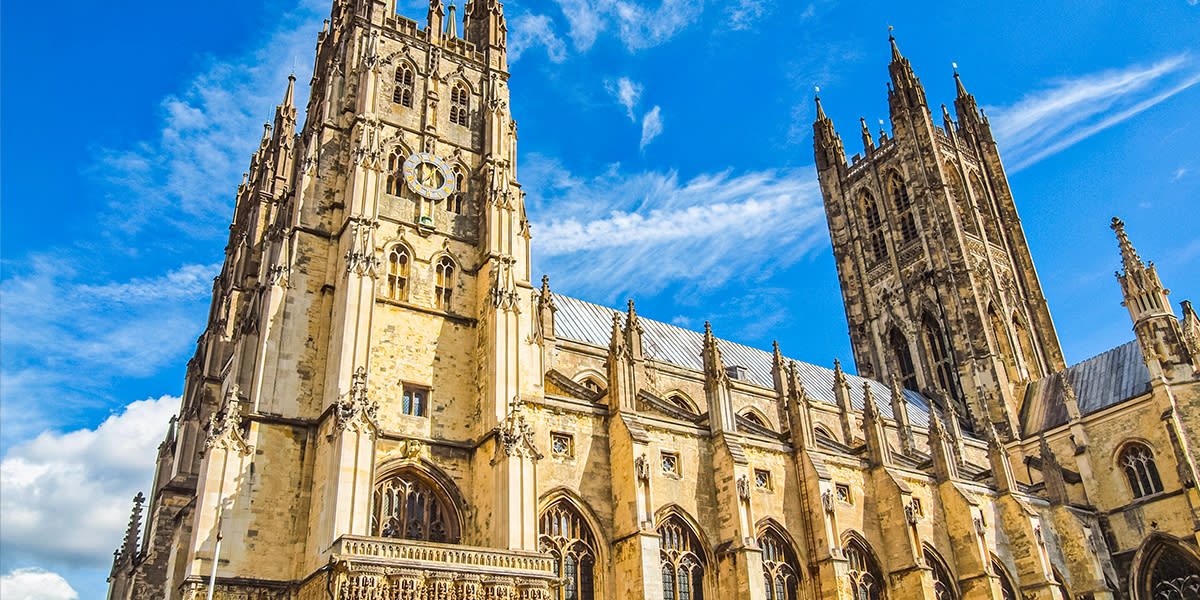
566	536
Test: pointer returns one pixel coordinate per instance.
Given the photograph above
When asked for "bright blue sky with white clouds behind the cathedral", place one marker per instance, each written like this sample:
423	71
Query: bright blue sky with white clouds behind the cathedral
667	148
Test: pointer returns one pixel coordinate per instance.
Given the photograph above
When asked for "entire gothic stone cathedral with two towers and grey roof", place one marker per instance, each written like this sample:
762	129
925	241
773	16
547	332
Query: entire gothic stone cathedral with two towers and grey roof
388	405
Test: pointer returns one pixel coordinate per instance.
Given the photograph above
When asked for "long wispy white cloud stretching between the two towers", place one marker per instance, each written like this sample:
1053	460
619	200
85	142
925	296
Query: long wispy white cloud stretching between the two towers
620	232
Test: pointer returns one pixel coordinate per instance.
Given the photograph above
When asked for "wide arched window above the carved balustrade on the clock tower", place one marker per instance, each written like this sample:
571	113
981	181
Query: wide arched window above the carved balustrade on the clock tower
412	507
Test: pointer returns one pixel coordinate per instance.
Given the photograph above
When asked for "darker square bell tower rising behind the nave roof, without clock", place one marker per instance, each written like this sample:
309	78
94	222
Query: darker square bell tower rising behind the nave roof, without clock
937	277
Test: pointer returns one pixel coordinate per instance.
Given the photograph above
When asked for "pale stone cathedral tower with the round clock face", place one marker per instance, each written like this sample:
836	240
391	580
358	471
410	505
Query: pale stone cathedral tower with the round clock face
381	253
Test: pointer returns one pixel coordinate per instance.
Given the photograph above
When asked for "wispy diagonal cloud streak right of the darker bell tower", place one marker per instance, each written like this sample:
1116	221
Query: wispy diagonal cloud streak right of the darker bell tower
1072	110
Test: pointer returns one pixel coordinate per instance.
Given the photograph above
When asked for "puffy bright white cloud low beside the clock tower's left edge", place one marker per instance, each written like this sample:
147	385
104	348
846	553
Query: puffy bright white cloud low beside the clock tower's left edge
67	497
